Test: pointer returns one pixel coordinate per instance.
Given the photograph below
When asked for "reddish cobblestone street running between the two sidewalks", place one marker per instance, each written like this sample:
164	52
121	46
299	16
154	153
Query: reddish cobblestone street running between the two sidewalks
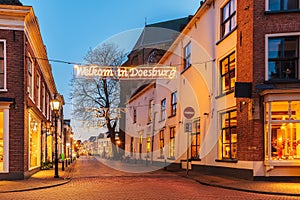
95	180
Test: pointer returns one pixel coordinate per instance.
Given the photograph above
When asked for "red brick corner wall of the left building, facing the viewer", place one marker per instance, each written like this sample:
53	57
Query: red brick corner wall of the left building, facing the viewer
15	87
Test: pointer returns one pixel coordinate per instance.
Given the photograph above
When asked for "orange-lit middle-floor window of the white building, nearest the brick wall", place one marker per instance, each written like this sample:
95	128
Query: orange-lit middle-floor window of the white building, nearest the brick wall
228	73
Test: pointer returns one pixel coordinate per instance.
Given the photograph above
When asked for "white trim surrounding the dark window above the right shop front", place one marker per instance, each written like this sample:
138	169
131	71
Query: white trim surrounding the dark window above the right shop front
267	36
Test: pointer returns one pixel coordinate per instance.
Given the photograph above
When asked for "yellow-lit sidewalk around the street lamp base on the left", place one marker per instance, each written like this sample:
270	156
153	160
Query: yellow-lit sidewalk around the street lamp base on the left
40	180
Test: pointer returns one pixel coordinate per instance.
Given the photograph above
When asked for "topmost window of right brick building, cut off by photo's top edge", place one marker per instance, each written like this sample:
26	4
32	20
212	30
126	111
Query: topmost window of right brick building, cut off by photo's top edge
283	5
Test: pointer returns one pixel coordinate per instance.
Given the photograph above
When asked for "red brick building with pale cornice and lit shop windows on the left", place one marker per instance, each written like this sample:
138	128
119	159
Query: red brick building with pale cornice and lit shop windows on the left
26	88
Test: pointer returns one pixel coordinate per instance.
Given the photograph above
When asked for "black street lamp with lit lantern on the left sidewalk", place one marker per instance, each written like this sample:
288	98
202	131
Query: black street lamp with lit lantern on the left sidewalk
55	107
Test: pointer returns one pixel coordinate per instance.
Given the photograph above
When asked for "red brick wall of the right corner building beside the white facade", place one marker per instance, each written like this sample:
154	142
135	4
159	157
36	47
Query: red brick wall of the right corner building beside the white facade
253	23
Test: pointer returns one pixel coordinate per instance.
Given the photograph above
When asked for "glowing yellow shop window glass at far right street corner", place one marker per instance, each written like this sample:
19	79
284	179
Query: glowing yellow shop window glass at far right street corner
282	130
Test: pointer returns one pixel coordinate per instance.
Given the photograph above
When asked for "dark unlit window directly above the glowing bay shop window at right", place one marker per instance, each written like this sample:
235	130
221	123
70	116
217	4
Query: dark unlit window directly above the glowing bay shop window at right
283	58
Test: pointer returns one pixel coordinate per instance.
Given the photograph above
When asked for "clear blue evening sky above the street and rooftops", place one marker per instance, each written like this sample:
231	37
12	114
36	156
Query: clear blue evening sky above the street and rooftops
71	27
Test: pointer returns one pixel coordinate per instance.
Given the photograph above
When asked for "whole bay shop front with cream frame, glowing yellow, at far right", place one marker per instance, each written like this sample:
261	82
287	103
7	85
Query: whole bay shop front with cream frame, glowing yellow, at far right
282	133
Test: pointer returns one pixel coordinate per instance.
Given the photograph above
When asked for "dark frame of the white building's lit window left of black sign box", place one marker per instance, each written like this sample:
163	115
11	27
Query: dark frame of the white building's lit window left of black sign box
228	73
